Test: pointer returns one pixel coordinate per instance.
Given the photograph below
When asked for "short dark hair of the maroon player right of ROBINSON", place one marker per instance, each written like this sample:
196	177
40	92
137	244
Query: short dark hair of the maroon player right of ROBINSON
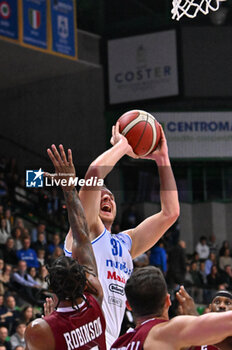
146	291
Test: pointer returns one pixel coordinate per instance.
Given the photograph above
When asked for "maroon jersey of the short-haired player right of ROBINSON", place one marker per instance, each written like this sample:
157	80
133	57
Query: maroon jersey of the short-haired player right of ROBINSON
135	339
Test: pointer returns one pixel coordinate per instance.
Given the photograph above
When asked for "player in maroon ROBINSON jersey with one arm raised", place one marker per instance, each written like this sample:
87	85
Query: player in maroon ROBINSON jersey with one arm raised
77	322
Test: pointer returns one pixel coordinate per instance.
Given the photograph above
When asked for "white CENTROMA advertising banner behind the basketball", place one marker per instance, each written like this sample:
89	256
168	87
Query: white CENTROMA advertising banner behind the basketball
198	134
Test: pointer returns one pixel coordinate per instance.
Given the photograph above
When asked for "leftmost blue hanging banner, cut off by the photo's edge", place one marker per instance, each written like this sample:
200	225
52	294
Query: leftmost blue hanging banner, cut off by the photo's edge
9	19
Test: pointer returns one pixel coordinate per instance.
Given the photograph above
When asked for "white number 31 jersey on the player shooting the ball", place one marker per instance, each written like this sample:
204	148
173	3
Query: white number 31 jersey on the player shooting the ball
114	264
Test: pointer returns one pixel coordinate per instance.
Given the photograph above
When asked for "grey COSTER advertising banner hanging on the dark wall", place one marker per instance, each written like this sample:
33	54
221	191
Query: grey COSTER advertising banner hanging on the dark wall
143	67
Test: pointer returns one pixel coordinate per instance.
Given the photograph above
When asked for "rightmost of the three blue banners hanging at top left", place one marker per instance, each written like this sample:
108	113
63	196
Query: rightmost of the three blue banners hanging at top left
63	27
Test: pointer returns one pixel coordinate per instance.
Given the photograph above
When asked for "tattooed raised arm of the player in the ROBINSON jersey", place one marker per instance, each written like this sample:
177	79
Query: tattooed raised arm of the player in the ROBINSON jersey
81	246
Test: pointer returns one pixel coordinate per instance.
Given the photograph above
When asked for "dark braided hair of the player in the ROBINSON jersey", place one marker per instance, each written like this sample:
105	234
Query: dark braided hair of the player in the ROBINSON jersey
66	279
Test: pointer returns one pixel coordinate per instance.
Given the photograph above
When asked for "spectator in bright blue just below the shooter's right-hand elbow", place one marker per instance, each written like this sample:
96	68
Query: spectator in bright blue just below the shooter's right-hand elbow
158	256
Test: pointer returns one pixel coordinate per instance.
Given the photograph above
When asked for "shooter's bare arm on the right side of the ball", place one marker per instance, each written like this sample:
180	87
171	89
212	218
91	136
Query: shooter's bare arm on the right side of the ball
145	235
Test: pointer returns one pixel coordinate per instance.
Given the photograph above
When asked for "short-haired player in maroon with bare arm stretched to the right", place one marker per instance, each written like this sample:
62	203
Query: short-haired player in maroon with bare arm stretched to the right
149	301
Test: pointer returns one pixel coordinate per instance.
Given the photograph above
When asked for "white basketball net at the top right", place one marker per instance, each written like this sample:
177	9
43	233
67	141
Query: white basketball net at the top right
190	8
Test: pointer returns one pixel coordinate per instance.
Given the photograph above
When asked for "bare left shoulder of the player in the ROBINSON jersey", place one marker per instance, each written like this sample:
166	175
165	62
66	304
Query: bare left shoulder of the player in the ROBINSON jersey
39	333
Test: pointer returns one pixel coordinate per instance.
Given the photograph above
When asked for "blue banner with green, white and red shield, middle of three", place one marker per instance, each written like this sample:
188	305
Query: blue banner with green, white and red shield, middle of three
35	23
